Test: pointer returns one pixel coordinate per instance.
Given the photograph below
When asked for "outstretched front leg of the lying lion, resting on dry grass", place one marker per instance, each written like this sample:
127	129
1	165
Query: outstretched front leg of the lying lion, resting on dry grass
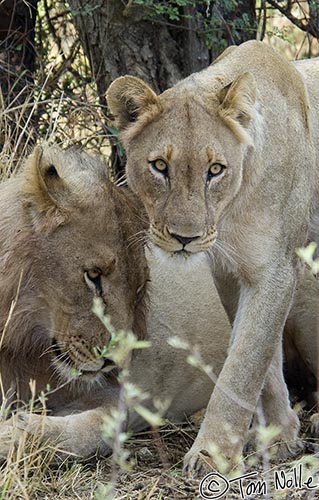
79	434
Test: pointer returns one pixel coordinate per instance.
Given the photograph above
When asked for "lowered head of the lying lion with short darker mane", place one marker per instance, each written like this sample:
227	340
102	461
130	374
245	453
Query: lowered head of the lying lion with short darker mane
65	234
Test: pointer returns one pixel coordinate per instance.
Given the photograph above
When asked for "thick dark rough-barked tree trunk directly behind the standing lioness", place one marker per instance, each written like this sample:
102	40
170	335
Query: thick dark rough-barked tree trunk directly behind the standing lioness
121	40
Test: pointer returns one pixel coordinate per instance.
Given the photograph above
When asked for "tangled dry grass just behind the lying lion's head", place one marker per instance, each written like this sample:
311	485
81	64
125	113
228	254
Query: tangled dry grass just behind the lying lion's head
61	119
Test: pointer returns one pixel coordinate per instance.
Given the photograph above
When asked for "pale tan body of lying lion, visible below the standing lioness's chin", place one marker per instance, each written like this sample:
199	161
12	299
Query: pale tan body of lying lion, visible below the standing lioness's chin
183	303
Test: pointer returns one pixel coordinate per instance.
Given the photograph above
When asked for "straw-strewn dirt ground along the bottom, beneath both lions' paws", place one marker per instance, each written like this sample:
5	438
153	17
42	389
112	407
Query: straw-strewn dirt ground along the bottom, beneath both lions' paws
156	473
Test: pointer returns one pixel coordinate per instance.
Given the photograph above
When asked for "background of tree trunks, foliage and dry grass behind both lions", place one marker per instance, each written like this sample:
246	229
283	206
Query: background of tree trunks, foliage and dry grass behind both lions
58	58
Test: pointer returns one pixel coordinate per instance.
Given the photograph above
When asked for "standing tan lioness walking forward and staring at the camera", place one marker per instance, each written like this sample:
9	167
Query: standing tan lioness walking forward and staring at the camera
227	162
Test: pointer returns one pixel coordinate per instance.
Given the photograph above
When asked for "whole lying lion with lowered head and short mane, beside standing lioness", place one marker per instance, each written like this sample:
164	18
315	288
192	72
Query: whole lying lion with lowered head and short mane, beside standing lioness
66	235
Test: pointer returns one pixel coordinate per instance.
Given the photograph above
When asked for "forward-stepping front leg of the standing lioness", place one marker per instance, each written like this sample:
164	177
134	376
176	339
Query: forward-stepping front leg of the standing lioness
262	311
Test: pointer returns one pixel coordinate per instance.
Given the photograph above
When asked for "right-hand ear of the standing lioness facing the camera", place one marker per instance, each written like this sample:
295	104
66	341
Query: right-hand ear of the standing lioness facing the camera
237	106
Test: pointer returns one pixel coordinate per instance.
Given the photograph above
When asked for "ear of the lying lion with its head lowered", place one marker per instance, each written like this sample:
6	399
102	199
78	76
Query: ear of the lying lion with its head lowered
45	189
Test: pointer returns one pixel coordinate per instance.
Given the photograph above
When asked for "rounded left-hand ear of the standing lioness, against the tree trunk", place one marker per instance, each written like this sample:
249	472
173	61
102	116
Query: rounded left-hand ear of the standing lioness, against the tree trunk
128	98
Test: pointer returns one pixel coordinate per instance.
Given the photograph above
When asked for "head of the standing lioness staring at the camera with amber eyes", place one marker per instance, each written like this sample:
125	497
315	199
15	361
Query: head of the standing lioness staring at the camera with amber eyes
185	152
